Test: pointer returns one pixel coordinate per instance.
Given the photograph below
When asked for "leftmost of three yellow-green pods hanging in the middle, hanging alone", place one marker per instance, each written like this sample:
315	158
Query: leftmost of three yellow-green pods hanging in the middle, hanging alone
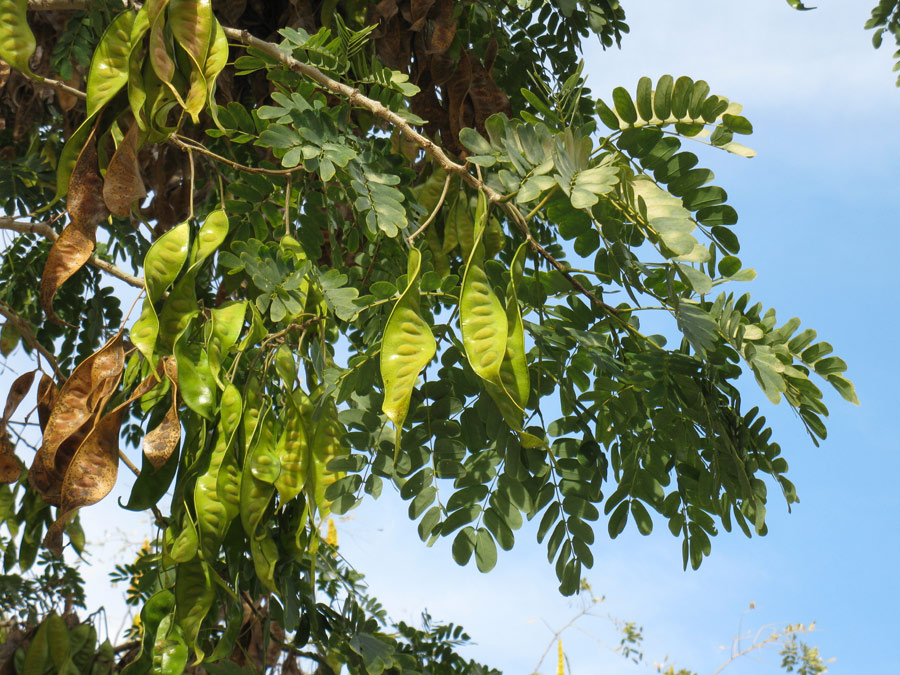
407	347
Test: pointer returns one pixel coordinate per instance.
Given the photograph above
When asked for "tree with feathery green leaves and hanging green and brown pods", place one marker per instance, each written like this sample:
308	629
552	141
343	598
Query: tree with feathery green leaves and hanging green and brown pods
371	246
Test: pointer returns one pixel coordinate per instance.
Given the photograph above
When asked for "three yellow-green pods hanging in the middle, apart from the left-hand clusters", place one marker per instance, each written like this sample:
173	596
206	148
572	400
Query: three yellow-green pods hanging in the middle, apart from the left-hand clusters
492	334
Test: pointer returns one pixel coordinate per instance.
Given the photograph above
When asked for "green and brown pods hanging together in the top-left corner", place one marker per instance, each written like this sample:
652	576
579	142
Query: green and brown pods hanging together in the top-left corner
151	67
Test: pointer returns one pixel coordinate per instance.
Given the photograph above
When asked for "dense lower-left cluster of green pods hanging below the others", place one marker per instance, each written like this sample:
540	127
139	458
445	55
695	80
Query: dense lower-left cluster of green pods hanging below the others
262	473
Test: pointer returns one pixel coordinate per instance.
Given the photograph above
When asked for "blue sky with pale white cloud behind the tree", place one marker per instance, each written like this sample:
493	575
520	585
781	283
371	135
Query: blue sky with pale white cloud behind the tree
819	225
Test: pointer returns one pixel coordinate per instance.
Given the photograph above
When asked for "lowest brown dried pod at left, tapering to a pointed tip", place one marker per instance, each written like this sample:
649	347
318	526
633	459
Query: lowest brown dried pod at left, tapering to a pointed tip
90	476
